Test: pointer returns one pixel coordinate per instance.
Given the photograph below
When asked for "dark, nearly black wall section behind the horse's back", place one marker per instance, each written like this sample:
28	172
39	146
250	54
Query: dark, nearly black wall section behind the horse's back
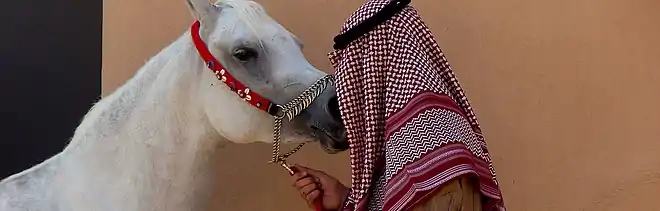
50	75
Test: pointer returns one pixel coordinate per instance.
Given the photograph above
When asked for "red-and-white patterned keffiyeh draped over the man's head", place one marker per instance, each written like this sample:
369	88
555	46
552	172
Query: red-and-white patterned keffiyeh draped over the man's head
409	123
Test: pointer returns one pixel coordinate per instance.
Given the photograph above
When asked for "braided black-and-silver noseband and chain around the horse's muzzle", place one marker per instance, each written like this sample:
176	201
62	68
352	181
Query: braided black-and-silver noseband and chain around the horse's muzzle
291	110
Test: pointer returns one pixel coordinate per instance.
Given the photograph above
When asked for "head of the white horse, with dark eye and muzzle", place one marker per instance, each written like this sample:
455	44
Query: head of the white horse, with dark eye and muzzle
261	54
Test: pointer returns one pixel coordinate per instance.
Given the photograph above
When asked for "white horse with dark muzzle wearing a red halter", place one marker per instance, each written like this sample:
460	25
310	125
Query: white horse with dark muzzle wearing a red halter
148	145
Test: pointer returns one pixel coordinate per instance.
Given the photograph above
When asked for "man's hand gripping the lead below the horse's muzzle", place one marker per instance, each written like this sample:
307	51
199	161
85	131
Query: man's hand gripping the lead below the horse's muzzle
318	187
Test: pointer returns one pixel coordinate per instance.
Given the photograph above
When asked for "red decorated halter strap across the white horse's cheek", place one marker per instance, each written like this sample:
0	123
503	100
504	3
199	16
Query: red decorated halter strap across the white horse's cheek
223	75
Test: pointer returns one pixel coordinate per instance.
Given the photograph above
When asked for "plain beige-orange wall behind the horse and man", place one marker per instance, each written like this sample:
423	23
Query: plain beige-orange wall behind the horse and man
567	92
